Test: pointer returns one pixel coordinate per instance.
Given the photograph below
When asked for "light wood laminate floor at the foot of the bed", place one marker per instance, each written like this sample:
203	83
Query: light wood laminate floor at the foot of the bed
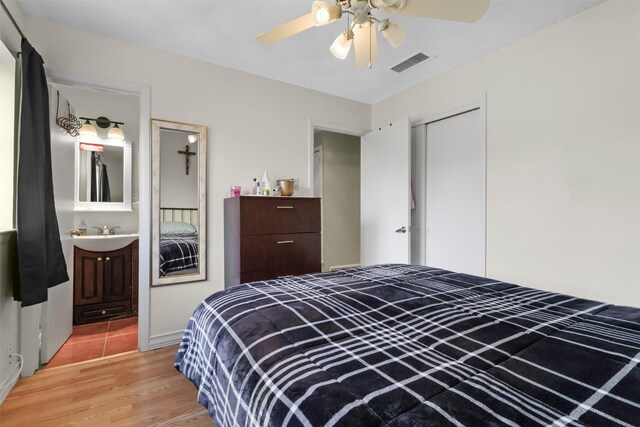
134	389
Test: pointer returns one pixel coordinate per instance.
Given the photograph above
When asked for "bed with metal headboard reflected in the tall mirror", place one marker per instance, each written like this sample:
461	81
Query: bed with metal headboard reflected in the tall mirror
179	241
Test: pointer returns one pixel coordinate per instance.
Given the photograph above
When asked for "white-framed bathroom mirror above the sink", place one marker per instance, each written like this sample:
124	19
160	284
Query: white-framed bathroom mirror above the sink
102	175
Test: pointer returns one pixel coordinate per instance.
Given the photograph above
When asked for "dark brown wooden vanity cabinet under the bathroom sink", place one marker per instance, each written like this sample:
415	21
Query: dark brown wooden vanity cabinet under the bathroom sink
105	284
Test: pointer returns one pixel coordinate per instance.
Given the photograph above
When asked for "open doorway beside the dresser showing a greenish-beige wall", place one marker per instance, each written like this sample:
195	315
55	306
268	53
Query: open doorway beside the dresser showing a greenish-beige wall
335	179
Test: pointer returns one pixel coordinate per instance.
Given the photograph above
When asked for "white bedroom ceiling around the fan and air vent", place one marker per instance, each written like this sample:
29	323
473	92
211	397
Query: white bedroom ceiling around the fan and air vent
223	33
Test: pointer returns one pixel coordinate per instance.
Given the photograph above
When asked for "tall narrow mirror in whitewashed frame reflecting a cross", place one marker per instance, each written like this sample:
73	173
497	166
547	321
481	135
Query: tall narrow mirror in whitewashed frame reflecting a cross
179	180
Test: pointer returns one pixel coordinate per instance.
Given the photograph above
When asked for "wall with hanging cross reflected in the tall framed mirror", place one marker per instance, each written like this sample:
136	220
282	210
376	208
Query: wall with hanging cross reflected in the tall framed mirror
177	189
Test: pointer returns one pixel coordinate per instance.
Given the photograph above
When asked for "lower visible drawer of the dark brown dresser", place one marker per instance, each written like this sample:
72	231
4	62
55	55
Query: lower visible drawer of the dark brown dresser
277	251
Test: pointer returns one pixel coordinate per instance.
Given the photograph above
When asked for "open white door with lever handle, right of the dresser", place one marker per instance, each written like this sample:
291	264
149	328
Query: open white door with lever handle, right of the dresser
385	195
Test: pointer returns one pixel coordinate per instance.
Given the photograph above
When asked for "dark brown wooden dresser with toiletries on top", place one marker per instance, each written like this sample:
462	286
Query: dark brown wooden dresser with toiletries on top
270	237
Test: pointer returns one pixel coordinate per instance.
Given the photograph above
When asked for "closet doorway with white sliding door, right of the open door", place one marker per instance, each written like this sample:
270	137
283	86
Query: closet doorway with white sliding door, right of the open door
449	183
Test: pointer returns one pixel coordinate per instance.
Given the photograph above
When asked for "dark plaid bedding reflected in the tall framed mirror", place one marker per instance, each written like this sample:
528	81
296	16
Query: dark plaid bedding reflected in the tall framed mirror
178	252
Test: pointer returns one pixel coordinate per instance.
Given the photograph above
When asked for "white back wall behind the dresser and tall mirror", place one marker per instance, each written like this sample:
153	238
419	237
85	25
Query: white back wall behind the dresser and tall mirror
253	123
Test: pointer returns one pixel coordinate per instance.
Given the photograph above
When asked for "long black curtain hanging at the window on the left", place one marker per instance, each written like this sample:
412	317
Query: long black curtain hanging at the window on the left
40	258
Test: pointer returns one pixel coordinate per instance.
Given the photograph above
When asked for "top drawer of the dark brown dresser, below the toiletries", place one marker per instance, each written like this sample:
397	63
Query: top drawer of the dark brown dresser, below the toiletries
278	215
